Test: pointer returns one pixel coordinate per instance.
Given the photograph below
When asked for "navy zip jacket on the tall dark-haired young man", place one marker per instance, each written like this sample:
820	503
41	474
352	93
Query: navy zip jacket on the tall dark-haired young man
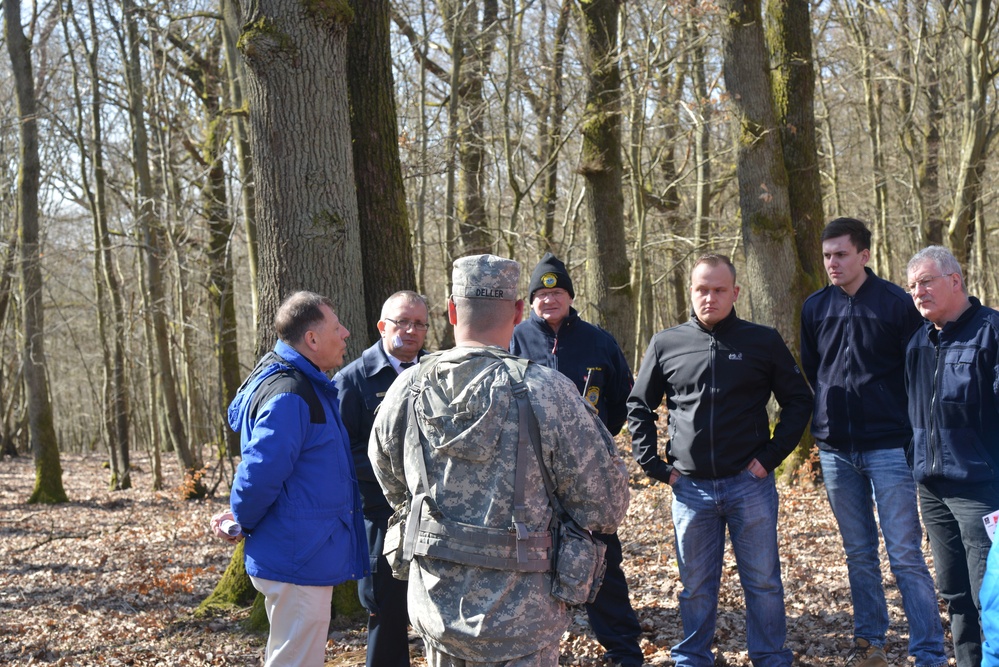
853	354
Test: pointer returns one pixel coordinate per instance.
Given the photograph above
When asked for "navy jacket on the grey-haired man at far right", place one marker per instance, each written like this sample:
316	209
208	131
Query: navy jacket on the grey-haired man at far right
952	378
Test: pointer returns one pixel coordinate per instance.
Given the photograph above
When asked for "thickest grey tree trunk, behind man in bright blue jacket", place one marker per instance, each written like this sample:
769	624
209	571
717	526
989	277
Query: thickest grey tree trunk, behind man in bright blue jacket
296	87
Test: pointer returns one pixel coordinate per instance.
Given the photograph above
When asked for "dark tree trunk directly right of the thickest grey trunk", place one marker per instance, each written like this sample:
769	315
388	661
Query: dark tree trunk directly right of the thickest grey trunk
386	241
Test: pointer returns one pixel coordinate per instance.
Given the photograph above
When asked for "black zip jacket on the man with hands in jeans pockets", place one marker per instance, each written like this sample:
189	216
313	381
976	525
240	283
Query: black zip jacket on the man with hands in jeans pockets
717	383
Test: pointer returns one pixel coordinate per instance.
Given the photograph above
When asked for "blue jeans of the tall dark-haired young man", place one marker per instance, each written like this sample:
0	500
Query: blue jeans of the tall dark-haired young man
855	481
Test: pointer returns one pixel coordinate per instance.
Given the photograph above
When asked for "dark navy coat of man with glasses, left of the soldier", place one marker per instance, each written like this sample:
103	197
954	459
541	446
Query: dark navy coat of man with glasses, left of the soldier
362	384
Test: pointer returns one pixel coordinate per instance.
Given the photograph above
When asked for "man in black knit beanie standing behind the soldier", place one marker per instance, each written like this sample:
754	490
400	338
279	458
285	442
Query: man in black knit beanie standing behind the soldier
555	336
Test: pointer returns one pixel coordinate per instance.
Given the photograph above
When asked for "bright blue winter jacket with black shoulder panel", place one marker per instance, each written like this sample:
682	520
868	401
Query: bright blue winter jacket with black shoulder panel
295	493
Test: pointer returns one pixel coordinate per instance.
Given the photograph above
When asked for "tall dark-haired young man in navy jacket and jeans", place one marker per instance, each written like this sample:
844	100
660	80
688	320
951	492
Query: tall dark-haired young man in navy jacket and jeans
853	338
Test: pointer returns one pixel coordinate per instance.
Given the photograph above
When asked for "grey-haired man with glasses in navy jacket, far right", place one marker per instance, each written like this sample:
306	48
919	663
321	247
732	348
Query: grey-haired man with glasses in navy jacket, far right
951	379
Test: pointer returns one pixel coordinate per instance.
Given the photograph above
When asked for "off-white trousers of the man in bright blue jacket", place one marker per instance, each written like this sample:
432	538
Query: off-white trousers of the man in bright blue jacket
300	622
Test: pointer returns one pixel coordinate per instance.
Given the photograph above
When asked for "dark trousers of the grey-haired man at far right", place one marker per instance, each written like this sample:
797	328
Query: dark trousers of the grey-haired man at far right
952	514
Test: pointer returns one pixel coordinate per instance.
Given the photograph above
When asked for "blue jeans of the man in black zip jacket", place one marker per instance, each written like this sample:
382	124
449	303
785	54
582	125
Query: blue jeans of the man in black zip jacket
701	510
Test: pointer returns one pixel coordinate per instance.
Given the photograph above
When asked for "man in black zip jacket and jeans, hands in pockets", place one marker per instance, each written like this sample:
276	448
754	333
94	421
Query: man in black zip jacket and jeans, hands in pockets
717	373
